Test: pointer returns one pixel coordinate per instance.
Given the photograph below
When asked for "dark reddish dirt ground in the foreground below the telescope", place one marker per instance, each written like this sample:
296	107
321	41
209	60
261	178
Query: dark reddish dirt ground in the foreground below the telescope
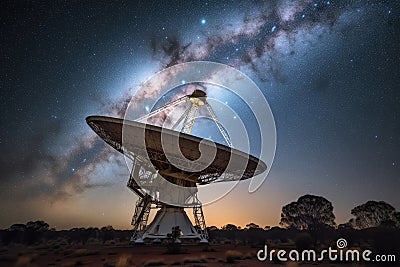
139	255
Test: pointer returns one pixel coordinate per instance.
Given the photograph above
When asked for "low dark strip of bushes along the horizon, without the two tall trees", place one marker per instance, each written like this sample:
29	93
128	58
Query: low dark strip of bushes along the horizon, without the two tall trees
381	239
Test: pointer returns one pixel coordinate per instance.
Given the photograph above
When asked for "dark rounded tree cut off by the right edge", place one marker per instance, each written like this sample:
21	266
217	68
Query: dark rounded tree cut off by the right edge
374	214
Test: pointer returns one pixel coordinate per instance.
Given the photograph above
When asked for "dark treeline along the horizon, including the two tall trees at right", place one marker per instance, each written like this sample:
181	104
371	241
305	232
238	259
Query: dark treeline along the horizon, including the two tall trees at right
307	223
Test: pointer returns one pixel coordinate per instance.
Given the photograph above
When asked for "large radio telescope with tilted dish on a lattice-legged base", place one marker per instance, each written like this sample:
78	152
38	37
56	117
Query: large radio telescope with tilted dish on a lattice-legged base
169	164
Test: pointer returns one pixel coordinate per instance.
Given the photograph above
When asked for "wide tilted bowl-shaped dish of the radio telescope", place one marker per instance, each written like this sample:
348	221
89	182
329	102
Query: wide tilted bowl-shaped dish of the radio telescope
110	130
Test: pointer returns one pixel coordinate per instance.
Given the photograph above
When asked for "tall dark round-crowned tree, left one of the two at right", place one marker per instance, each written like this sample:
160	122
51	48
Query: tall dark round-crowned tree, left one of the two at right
309	212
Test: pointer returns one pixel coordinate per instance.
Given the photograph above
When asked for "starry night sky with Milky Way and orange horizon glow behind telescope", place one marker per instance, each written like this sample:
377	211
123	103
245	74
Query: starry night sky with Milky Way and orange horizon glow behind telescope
328	69
